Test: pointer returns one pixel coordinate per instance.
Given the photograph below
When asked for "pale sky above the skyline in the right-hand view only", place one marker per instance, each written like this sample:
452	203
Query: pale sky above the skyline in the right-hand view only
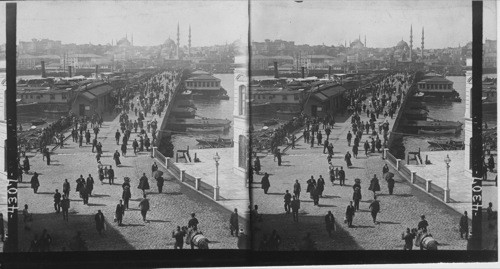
385	23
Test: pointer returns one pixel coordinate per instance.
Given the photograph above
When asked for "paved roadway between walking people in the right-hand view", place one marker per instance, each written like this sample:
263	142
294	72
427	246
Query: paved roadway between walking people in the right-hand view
399	211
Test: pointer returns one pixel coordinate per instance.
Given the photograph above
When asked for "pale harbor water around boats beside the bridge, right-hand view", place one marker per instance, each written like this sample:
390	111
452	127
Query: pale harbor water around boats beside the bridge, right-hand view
449	111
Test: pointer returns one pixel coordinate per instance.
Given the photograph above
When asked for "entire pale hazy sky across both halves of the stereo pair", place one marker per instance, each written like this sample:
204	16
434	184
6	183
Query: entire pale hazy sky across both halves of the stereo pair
447	23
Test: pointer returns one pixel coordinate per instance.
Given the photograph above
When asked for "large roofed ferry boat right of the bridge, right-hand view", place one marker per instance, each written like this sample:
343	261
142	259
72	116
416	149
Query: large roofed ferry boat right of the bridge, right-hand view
438	88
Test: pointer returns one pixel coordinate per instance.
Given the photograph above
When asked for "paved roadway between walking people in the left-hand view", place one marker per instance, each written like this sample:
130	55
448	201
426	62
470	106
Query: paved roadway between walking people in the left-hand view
169	209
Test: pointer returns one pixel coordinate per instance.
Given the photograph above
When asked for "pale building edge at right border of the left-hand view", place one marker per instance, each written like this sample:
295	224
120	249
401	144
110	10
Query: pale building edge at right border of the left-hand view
241	117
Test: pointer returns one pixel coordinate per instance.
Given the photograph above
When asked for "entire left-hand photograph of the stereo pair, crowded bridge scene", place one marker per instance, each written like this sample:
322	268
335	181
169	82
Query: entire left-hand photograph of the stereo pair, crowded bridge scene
131	125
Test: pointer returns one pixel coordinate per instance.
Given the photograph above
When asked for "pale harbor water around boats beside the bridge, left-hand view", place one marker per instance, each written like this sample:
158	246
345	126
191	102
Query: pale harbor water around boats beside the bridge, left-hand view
218	109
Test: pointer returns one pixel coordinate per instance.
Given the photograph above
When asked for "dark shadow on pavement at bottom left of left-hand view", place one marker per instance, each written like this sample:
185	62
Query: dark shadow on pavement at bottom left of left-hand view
62	233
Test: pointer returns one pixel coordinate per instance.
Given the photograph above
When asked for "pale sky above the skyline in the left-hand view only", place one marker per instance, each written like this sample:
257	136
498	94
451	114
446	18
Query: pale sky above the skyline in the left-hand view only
150	22
